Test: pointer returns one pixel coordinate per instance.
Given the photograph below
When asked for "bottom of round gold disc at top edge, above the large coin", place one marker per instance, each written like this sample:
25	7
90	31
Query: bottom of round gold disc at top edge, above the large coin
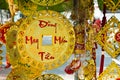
47	2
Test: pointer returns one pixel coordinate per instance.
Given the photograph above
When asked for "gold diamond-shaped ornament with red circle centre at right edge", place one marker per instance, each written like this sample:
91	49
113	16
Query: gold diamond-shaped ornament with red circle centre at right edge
108	37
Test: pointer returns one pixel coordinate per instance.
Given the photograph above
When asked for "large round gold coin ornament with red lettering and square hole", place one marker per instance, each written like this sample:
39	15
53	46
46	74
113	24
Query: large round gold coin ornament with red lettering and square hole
45	40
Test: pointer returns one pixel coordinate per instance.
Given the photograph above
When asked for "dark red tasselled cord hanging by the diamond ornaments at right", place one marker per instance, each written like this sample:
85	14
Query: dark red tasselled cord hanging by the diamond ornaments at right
102	56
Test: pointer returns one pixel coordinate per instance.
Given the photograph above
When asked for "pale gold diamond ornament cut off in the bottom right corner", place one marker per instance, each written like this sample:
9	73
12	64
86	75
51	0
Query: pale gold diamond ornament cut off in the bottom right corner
112	72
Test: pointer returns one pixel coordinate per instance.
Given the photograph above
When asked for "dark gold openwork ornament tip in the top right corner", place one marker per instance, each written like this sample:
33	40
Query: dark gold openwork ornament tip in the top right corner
111	5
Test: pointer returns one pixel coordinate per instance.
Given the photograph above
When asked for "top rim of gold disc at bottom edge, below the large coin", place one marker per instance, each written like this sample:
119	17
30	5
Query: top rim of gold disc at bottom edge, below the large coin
49	77
